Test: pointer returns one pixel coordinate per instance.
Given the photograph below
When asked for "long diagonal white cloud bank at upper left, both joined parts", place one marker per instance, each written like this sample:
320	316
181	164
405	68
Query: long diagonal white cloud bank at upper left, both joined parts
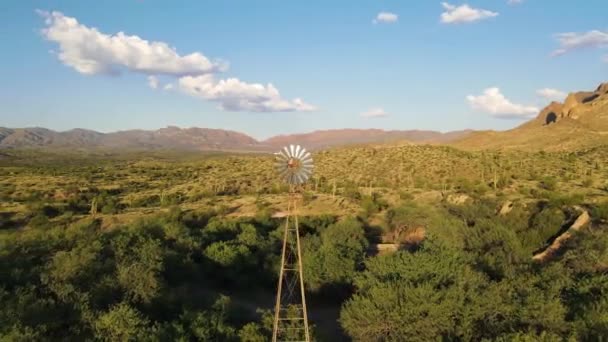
91	52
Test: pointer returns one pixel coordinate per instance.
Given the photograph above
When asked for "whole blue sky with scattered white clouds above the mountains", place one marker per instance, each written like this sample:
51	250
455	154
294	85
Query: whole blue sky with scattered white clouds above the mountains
364	64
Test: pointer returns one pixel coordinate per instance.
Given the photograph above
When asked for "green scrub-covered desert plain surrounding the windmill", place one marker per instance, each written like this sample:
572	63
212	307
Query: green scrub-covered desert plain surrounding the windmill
185	245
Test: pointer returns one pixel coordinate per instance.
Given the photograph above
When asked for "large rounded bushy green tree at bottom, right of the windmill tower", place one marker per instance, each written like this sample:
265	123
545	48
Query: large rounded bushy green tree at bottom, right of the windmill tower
418	296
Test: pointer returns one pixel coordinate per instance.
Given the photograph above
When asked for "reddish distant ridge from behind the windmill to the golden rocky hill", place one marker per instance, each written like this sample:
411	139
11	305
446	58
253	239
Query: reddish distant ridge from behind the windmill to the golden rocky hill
328	138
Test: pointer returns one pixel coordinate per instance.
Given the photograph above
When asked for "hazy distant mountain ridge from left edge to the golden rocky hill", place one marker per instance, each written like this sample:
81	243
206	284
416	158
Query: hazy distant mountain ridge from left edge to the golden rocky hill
205	139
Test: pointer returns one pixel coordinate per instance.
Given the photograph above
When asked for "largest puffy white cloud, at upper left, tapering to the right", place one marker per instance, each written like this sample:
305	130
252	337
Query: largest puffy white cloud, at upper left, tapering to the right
91	52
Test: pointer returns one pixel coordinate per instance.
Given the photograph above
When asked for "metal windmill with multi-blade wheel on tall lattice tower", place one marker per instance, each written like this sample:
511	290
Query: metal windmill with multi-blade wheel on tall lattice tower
295	166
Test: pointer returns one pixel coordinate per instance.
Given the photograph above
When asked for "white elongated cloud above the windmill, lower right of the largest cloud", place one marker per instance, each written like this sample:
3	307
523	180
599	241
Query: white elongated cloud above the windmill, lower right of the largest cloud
235	95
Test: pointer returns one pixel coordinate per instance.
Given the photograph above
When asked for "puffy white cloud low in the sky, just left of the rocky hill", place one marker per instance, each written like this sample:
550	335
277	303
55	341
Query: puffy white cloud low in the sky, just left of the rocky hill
495	103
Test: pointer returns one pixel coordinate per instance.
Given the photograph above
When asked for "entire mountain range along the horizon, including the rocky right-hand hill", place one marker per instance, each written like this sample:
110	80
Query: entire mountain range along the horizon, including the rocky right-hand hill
581	121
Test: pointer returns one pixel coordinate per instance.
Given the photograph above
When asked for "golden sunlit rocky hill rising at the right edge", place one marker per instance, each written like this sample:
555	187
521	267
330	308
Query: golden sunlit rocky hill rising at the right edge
581	121
